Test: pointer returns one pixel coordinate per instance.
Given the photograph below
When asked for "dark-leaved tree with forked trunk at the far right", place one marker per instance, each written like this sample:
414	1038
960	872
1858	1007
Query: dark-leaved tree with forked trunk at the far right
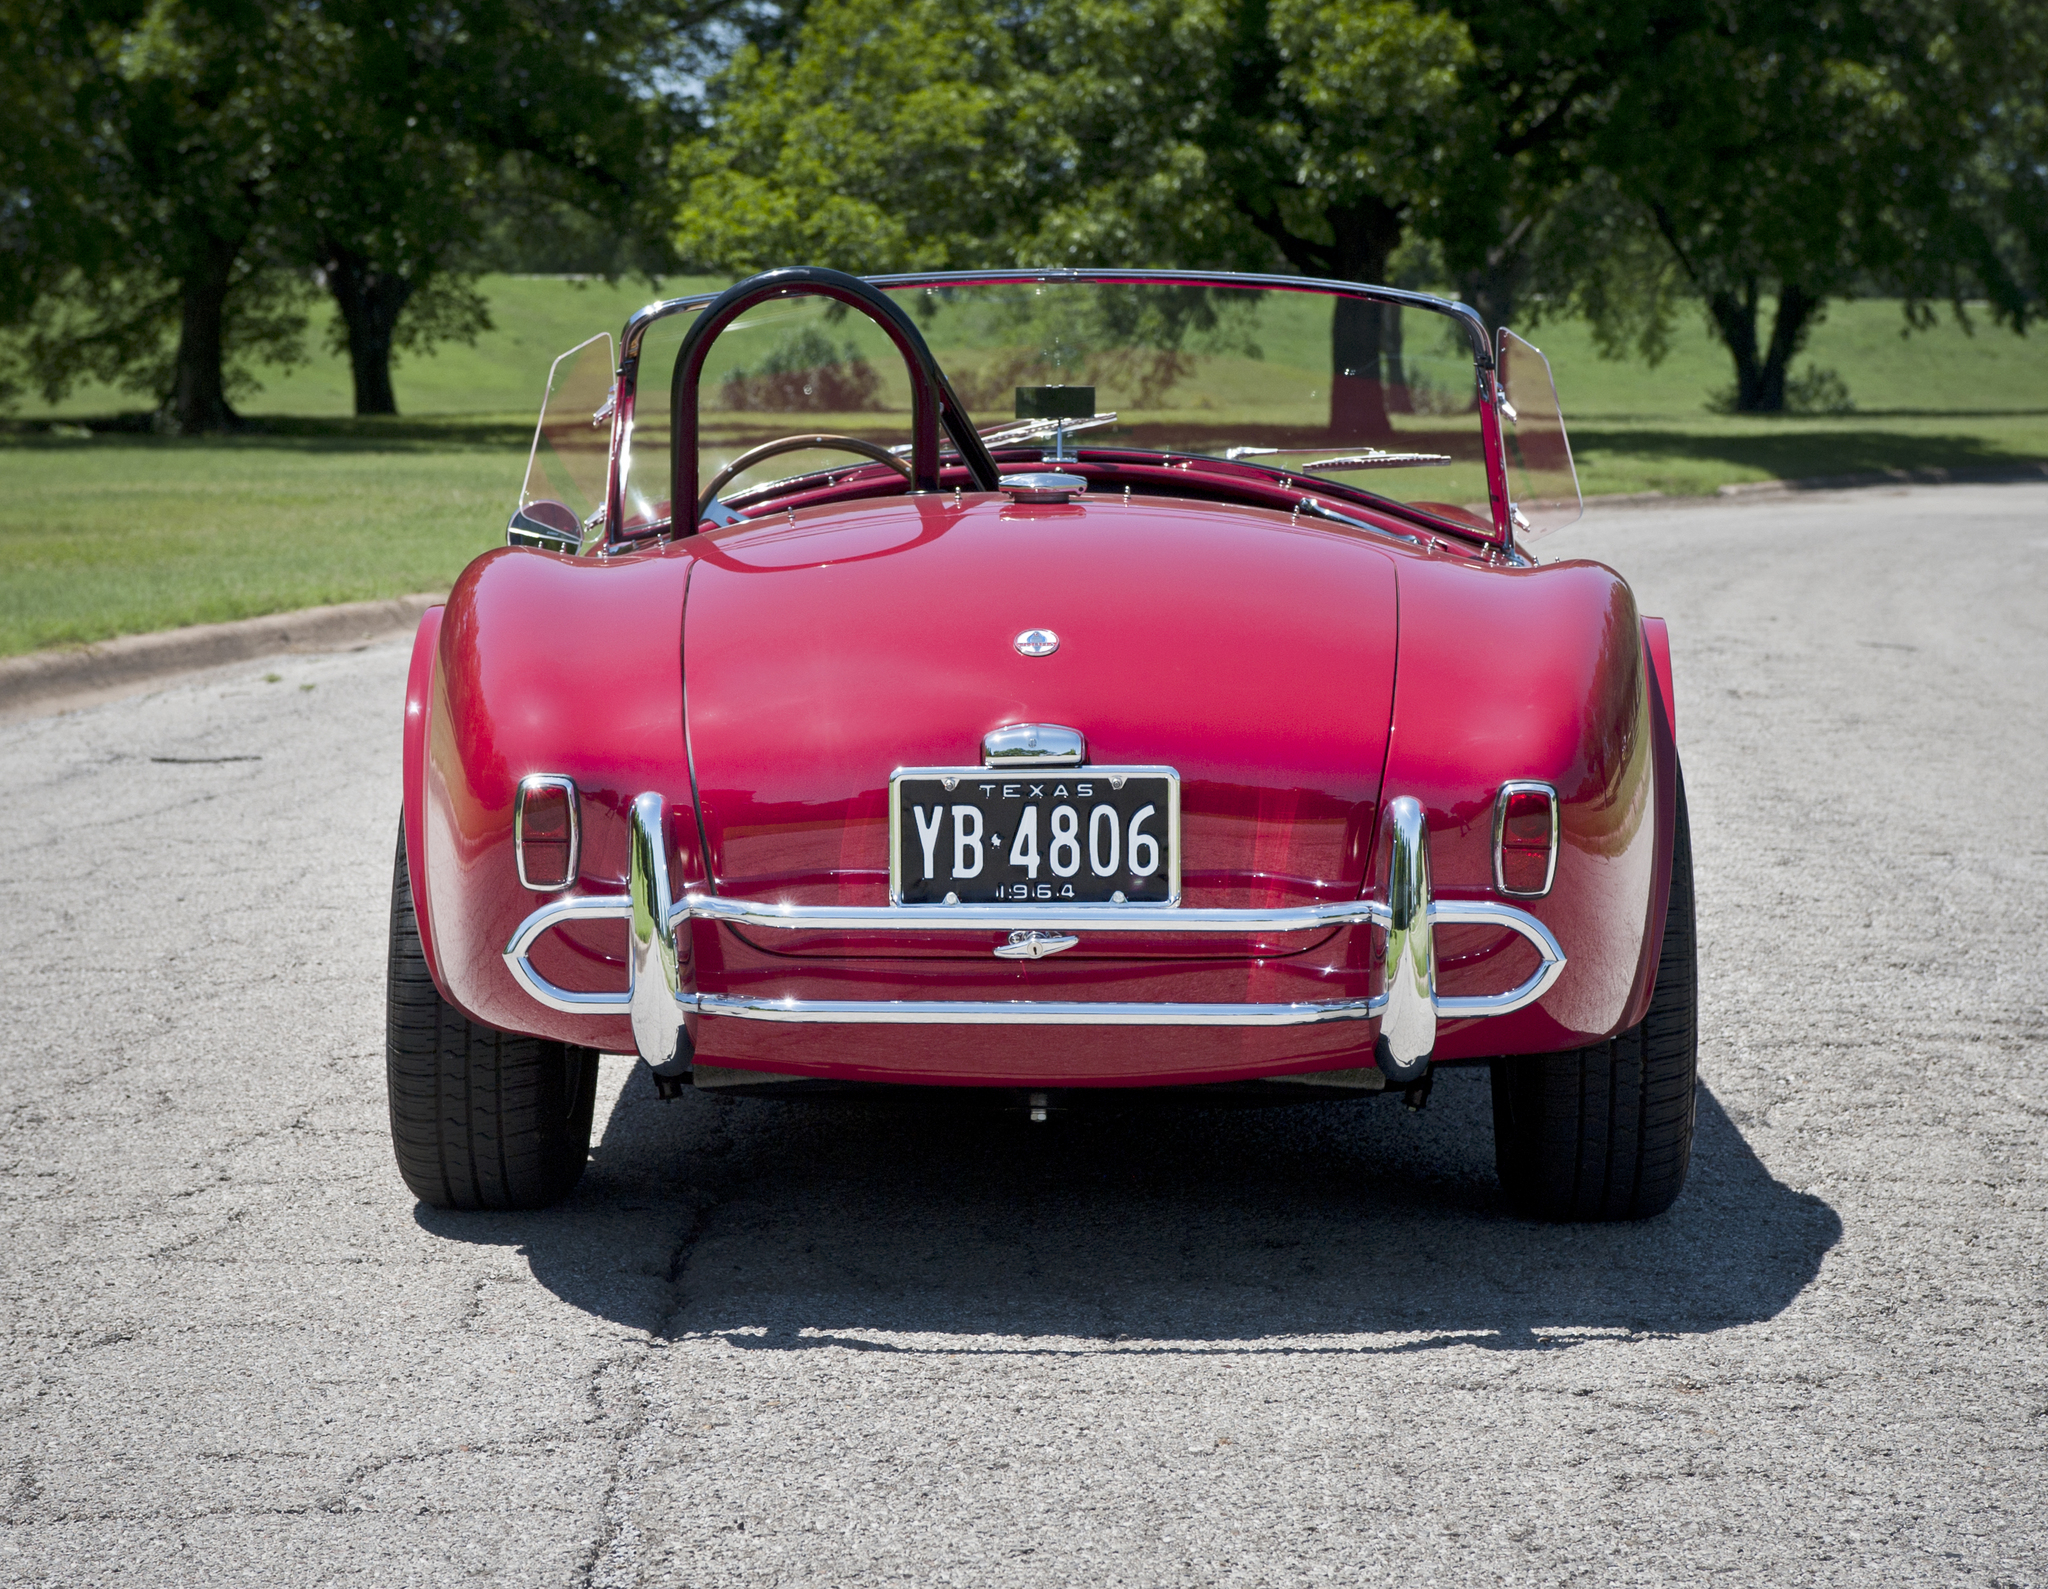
1785	153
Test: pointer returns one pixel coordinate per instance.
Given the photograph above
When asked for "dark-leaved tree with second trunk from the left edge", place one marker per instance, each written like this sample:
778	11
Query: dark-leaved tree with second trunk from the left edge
421	126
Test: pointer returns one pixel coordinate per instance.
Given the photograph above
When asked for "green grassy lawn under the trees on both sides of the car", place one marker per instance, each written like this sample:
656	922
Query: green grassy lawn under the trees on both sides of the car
126	533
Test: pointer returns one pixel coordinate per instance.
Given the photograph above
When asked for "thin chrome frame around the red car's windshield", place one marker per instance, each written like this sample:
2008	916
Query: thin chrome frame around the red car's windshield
1476	331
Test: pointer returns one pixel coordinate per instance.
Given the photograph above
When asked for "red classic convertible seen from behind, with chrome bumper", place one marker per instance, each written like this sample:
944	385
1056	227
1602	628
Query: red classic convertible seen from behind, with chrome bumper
1046	683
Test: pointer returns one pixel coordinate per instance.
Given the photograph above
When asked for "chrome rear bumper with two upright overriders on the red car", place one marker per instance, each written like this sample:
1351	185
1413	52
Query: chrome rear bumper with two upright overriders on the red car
665	1002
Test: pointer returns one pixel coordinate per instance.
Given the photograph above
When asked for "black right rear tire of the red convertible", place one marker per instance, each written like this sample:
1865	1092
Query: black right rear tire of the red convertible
1605	1133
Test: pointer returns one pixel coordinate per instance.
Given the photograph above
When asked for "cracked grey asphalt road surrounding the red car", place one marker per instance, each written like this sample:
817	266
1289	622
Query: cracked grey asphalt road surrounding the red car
779	1344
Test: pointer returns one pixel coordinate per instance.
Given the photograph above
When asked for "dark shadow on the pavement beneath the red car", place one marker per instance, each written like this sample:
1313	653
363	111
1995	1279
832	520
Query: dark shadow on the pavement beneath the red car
1318	1228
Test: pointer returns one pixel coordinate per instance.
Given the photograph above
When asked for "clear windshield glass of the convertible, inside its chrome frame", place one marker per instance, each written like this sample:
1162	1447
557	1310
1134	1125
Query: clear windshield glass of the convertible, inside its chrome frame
1373	396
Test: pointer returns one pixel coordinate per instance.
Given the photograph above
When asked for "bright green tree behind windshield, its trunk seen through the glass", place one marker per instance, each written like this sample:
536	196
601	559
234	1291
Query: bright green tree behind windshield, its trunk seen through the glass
1256	132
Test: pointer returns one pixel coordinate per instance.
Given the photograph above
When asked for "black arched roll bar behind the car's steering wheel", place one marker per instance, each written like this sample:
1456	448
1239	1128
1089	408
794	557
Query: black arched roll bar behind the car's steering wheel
933	400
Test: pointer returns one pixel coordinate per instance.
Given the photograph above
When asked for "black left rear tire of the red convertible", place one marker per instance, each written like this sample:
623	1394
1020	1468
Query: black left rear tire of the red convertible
480	1119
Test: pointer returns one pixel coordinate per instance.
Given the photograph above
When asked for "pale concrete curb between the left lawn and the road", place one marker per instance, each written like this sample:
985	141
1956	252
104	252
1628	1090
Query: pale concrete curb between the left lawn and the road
44	683
